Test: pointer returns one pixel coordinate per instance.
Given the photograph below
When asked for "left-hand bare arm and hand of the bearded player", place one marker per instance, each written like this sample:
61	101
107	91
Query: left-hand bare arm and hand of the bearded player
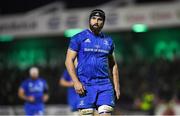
70	57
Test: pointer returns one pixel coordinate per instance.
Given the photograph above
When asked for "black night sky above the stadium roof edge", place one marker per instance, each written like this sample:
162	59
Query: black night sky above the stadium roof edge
20	6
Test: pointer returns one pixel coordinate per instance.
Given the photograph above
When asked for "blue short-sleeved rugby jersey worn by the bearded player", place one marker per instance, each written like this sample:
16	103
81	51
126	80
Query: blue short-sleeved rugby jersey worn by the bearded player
93	52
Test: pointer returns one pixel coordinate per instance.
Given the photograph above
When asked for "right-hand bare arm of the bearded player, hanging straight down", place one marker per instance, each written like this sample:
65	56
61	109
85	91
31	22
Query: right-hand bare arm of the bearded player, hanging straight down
115	74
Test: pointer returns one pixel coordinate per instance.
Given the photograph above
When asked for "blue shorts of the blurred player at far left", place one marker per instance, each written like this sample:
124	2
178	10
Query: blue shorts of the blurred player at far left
34	109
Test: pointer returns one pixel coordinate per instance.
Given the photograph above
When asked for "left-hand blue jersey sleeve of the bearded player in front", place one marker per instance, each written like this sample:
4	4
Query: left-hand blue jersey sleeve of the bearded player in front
75	43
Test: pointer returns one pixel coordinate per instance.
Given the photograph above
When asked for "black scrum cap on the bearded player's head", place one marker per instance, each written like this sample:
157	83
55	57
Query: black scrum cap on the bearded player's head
98	12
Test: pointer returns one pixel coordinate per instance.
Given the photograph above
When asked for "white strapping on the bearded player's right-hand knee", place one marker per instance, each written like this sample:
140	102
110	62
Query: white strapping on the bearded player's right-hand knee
105	109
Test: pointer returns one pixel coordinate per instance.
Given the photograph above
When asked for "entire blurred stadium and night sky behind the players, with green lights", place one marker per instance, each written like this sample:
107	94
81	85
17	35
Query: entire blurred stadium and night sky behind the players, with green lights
146	35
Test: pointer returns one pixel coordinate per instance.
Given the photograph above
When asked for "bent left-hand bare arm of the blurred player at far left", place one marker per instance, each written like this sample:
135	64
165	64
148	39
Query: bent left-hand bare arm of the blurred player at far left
22	95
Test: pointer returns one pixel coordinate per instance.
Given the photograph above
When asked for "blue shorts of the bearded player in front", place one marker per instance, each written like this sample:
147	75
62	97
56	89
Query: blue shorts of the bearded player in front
97	95
